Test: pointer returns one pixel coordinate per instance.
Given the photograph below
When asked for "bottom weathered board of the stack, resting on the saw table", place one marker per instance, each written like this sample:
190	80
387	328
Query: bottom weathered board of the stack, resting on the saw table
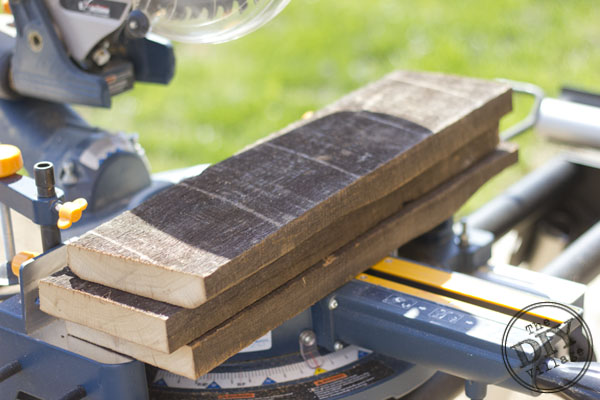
219	344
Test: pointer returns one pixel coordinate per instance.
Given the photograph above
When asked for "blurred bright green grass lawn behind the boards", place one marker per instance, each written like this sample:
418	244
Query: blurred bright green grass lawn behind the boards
226	96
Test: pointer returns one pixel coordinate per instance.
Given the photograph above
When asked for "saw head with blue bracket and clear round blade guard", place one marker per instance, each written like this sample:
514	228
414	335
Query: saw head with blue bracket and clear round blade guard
86	51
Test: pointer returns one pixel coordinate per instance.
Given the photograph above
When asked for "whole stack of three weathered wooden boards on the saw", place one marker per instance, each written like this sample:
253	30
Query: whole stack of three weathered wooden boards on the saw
204	268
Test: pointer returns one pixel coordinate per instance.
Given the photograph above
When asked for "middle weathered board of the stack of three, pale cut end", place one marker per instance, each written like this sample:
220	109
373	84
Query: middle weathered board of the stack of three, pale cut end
166	327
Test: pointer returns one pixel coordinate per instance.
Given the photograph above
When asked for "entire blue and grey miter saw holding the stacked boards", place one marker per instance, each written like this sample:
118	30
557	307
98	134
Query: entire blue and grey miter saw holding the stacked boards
385	335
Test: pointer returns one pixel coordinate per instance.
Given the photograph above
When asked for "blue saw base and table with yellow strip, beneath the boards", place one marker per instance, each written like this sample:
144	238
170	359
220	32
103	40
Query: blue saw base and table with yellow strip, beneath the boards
397	310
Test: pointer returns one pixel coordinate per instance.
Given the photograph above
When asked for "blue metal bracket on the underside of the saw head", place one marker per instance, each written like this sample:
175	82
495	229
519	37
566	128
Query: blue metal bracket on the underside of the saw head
42	69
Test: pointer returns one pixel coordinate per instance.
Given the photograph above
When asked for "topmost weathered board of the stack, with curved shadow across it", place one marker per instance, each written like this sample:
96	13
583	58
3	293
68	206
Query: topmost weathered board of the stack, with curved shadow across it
206	234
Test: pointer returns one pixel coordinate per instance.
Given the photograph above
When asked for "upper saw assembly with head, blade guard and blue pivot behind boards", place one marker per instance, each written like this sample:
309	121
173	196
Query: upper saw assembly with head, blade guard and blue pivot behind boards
60	52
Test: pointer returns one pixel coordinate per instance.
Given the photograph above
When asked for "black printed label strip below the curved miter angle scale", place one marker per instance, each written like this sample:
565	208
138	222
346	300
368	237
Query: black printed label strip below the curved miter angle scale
354	379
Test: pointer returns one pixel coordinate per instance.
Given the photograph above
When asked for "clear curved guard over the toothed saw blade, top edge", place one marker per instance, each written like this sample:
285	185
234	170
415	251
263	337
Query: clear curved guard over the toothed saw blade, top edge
208	21
